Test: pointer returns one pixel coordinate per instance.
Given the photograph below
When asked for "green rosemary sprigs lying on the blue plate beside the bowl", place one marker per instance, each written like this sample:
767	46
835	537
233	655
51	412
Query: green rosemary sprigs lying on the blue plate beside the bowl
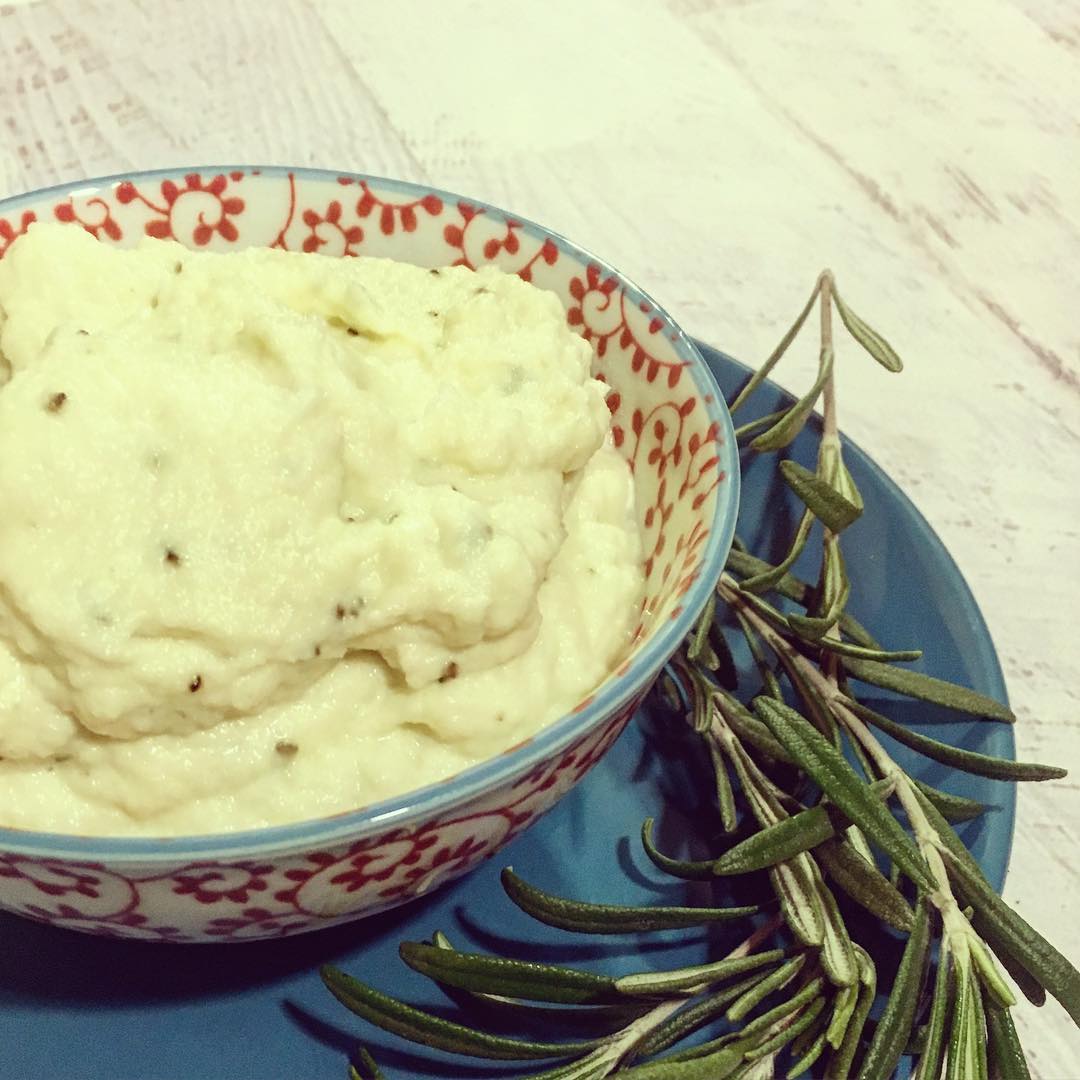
800	767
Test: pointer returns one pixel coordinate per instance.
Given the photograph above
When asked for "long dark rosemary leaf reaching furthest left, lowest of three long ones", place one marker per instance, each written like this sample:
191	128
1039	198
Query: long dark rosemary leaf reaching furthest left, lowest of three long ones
420	1027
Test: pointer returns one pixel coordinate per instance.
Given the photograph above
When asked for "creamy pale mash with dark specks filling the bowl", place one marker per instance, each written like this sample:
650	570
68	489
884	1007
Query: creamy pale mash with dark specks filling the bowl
281	535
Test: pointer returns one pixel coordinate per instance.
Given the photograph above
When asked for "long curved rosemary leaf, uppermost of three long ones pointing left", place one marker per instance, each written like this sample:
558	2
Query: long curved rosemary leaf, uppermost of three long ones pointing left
610	919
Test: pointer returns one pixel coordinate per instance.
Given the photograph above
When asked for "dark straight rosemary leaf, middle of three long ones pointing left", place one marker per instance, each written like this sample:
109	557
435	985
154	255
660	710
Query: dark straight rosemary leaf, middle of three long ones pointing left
512	979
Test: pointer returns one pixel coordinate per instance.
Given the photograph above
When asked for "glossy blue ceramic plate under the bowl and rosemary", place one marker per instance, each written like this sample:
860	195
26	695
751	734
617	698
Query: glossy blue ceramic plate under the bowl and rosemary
88	1008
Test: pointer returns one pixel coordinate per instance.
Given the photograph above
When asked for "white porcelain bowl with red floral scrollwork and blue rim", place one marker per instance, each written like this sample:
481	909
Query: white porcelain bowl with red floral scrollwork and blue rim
669	423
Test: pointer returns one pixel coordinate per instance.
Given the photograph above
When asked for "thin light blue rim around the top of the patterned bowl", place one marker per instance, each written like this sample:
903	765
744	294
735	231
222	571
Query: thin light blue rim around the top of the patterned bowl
488	776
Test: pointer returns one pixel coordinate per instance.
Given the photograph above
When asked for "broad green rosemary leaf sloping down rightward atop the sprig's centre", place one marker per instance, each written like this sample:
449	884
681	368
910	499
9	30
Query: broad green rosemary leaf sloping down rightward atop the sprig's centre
844	787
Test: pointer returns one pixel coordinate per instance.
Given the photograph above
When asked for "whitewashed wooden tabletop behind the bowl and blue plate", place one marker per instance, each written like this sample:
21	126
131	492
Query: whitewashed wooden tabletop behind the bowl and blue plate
721	153
